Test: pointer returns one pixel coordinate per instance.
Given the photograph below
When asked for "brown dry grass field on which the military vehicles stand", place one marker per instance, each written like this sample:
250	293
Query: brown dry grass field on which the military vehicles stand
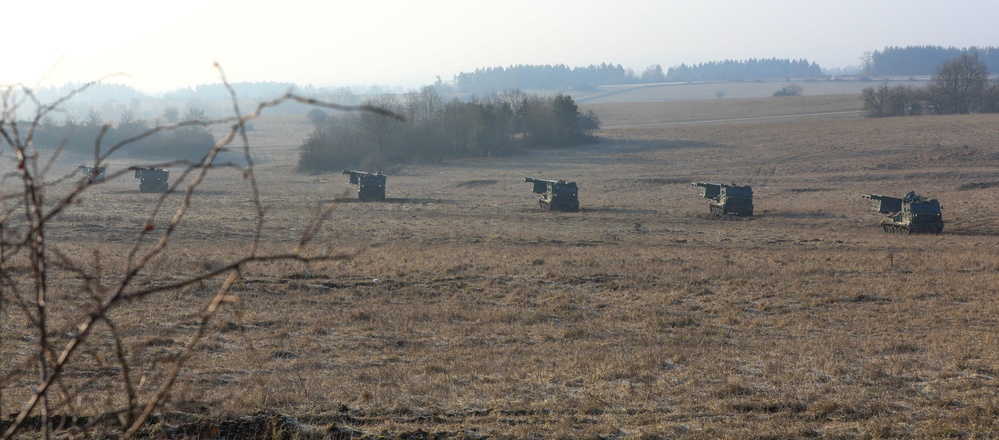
468	313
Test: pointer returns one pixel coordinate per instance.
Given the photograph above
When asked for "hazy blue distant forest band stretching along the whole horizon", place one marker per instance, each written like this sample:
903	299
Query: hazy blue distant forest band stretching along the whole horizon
116	101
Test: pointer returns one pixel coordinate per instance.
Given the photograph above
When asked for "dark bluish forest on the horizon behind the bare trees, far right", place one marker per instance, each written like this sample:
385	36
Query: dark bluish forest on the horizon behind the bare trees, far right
921	60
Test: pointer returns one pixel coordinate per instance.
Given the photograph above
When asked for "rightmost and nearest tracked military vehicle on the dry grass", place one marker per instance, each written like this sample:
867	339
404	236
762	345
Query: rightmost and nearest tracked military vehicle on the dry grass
909	214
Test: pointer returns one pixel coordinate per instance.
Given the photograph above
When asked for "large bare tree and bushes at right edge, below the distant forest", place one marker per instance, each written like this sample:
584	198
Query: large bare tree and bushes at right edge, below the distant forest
960	86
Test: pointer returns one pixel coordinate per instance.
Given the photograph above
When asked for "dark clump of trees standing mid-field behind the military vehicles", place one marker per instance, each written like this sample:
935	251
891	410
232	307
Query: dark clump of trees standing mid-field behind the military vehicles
435	129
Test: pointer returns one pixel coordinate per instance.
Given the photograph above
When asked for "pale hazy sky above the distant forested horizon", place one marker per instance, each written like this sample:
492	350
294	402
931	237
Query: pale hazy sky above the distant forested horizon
171	44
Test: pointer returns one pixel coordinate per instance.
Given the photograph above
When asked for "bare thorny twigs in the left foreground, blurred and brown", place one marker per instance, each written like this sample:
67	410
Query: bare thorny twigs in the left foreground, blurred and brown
31	241
